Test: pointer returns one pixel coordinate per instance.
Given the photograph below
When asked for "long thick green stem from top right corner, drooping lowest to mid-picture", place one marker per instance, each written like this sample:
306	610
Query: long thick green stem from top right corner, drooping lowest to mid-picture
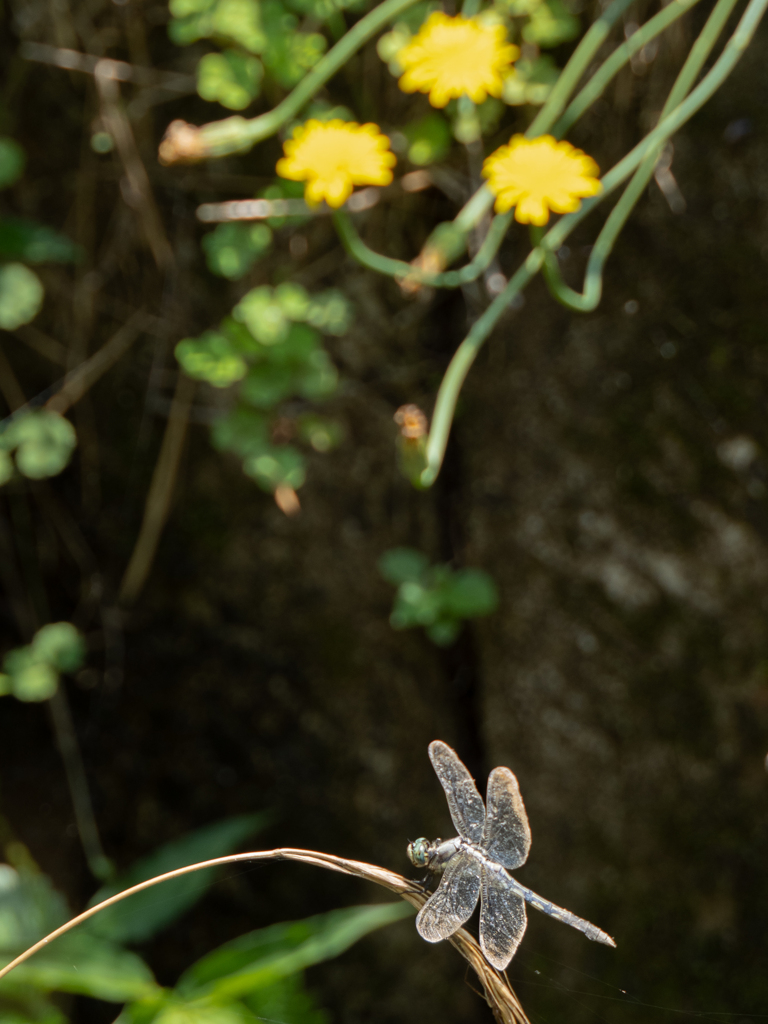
465	356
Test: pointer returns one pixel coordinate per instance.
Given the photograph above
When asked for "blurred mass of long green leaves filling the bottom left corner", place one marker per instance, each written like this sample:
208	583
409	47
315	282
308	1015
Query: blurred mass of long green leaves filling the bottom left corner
257	976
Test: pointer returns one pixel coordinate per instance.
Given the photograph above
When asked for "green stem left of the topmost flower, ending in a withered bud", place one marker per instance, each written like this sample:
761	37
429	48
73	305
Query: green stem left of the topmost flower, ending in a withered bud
238	135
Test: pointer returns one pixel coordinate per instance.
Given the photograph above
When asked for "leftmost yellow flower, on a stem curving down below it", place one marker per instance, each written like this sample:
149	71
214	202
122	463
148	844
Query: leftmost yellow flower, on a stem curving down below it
334	156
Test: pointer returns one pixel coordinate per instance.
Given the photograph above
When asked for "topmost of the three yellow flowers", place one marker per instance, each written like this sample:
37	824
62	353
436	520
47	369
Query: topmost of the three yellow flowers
456	57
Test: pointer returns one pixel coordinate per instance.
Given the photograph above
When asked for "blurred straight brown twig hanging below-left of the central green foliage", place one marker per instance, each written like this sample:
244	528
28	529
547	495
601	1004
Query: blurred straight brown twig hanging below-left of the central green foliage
161	492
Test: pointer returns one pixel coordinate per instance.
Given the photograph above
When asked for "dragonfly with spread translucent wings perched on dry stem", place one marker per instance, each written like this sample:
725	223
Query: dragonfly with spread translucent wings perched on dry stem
494	839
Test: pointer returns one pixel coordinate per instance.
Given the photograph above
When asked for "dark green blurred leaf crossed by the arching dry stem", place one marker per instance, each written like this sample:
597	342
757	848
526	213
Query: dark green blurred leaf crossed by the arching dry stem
140	917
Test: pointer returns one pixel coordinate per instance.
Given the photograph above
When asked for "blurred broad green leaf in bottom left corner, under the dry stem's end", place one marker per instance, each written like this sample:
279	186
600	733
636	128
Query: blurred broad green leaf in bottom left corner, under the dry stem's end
87	965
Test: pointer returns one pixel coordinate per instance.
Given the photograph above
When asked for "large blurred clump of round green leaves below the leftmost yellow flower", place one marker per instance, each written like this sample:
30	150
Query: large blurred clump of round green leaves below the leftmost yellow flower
273	347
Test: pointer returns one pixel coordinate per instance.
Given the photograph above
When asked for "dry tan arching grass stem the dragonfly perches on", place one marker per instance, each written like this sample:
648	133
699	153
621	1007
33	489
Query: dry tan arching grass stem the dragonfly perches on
499	995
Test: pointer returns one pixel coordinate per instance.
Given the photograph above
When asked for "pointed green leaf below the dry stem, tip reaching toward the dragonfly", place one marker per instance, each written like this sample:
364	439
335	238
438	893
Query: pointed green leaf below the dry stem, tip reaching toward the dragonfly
262	958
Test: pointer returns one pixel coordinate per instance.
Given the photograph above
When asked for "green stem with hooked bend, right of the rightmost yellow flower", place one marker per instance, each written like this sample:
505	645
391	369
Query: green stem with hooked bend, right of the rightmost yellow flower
589	300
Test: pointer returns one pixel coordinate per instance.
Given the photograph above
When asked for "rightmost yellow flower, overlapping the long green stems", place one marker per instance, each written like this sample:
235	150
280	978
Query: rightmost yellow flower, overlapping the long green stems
537	176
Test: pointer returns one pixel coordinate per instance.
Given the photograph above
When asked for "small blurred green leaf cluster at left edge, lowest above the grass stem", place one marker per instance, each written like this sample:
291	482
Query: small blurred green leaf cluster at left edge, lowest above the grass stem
31	673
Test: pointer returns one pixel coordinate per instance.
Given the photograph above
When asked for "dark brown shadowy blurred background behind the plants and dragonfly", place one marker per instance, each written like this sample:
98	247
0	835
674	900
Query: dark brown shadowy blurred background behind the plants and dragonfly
608	471
